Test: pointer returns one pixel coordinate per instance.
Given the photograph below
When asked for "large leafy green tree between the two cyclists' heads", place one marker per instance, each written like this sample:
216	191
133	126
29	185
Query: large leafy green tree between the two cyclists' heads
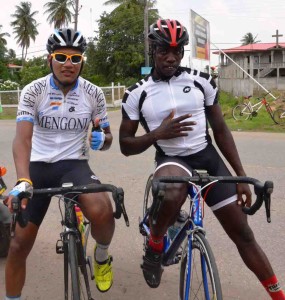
120	47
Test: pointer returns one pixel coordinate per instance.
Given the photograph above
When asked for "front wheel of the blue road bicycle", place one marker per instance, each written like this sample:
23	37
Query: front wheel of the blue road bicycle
201	288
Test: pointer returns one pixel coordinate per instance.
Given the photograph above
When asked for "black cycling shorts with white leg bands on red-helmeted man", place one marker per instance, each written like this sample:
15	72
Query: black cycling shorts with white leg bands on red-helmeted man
220	194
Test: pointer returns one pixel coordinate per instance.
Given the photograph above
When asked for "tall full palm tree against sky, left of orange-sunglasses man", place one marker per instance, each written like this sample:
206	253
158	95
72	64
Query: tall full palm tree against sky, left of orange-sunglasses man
25	26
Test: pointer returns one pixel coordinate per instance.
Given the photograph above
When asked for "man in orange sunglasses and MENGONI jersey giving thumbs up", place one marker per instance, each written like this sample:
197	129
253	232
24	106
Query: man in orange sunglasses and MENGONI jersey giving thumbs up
51	147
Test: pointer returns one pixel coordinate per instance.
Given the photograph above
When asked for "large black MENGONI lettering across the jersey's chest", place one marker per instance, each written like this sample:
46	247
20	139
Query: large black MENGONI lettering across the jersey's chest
64	123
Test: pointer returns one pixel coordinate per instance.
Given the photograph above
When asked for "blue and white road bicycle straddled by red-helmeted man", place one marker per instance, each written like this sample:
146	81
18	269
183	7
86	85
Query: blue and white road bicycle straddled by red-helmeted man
199	277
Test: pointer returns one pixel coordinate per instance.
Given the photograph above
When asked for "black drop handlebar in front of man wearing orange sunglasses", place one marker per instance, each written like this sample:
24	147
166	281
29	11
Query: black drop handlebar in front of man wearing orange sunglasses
68	188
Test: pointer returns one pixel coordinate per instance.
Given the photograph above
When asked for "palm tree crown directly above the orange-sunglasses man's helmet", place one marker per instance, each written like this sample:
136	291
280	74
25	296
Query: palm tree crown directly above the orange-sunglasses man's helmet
59	12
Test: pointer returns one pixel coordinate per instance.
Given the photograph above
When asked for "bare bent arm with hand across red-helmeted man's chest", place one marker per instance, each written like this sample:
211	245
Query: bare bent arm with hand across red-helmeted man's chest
168	129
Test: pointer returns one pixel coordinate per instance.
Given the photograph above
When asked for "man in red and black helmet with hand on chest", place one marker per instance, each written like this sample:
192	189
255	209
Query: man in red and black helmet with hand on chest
175	106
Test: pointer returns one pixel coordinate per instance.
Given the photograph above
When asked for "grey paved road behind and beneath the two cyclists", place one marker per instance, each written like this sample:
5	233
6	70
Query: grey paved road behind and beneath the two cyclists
263	157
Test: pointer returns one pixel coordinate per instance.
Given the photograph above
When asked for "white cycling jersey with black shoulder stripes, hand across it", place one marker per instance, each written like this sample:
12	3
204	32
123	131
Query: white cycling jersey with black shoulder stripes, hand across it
188	91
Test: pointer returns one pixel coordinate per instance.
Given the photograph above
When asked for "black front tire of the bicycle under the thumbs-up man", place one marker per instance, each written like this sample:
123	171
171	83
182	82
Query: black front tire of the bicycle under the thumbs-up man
71	270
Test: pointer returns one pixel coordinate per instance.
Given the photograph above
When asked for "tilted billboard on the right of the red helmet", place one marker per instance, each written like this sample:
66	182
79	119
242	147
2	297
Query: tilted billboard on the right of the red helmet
200	37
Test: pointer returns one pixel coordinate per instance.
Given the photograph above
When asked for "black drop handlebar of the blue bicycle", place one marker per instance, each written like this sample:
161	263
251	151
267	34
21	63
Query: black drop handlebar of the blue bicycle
262	191
